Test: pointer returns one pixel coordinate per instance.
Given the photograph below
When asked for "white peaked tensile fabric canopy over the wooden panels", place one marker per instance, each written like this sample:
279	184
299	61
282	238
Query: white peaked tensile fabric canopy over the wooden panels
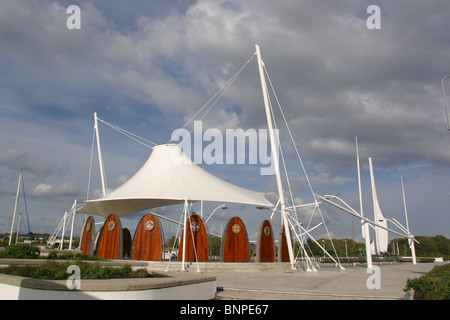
169	177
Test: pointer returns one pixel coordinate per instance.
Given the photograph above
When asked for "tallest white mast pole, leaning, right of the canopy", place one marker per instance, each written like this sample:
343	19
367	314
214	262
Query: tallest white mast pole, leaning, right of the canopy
275	155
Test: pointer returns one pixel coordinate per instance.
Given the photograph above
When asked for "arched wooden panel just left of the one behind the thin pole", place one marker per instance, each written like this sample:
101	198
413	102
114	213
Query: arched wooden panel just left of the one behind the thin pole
147	239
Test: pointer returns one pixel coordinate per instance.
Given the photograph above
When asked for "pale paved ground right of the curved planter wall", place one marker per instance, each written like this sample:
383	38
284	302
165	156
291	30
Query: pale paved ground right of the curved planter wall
353	283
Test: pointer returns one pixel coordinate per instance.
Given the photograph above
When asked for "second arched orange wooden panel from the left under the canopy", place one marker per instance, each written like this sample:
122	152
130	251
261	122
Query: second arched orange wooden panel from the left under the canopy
110	243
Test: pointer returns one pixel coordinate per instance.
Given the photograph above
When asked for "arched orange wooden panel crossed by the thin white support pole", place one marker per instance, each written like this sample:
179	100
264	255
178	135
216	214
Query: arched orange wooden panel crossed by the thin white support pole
198	236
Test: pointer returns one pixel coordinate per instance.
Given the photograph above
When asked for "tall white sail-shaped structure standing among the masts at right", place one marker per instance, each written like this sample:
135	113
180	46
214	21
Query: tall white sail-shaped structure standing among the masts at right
381	234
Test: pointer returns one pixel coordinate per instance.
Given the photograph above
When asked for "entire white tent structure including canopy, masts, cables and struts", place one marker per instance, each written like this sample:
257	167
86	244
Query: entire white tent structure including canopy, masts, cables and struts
170	177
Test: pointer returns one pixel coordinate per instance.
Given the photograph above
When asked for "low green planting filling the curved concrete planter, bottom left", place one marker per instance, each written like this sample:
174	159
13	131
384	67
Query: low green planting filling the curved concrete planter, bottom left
51	270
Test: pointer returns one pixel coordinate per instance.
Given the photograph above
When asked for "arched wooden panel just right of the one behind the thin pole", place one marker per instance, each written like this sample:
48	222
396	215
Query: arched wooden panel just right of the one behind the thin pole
235	242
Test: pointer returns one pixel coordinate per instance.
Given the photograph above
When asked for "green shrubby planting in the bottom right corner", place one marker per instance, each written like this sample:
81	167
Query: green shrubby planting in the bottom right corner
435	285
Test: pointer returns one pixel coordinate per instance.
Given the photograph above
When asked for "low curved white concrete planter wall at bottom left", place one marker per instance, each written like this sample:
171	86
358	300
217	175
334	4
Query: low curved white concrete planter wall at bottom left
179	286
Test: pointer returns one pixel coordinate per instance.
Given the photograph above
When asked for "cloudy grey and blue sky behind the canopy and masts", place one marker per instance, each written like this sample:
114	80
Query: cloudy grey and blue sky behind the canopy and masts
149	66
